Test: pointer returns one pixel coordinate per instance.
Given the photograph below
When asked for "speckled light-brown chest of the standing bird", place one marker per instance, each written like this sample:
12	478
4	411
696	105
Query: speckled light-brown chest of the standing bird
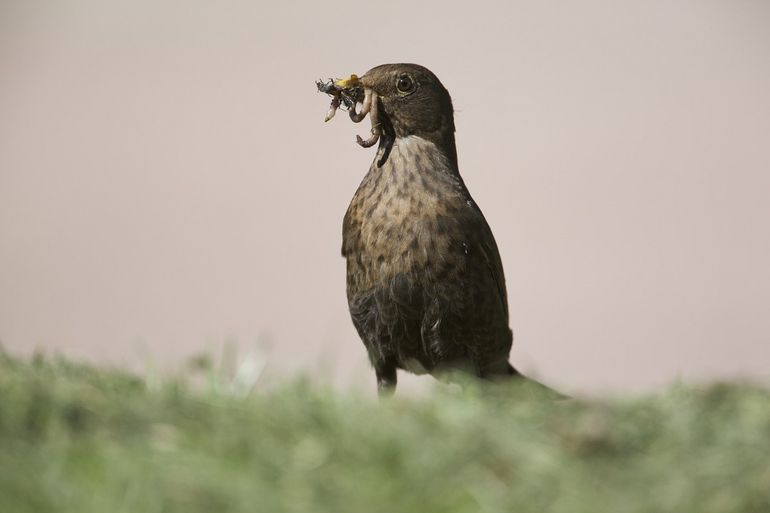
405	219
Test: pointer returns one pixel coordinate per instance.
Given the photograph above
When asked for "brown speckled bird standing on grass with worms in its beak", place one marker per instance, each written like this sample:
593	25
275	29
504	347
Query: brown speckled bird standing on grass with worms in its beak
425	283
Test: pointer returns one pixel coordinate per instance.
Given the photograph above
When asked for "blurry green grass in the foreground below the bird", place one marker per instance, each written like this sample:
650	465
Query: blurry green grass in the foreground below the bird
75	438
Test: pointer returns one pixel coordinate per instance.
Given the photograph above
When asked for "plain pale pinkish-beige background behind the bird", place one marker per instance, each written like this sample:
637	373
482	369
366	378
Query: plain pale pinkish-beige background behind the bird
167	183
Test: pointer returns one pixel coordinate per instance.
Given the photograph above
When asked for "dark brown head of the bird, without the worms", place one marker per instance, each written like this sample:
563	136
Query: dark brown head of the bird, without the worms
412	101
